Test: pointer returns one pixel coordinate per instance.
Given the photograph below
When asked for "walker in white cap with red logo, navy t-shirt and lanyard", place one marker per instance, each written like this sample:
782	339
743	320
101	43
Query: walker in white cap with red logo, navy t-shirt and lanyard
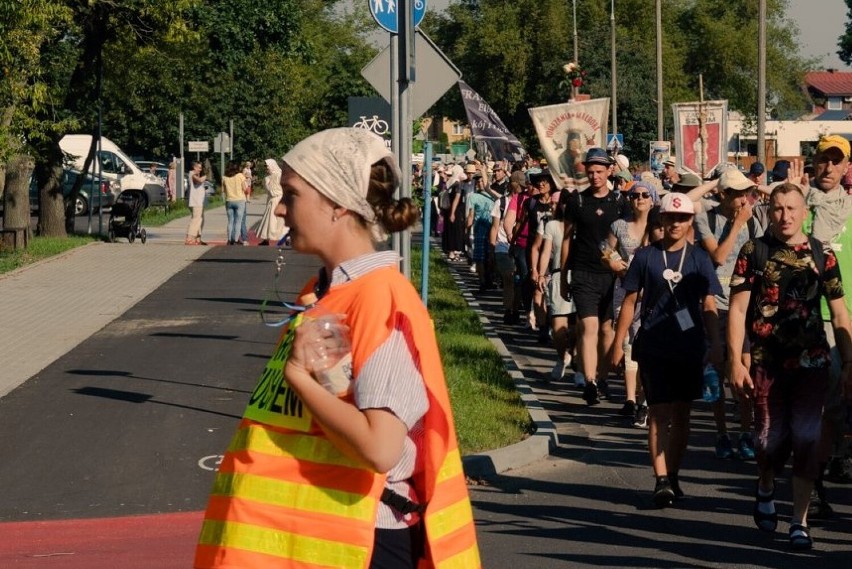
678	285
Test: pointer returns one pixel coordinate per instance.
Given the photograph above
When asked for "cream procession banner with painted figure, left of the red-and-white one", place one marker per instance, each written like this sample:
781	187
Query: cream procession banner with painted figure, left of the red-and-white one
566	131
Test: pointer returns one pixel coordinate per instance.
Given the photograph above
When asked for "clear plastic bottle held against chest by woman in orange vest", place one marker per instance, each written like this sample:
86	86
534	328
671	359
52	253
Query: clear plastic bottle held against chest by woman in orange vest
328	353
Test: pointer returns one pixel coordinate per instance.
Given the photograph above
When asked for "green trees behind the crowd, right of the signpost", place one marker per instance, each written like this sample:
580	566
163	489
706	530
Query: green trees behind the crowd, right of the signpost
512	54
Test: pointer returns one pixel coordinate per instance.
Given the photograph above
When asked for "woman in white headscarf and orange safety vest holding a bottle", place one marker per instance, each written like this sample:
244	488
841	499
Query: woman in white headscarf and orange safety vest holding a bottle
365	474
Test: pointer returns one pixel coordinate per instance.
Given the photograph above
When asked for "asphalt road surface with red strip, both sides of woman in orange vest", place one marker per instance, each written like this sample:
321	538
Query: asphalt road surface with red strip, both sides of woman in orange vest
109	451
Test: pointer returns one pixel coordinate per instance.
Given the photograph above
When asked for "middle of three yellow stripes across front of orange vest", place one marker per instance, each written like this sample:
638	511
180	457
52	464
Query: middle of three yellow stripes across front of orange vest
294	495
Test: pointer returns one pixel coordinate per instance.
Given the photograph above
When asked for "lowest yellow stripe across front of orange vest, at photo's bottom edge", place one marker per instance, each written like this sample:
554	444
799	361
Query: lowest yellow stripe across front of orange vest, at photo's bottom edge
283	544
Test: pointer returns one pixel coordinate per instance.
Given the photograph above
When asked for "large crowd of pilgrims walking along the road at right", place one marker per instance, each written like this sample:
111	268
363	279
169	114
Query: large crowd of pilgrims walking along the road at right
683	287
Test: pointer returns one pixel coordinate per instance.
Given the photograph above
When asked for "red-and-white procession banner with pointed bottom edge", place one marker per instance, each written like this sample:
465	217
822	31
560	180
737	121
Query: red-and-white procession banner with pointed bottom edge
701	135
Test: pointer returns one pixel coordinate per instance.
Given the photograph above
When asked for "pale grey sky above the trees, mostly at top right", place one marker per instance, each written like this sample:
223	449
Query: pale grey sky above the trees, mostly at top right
820	23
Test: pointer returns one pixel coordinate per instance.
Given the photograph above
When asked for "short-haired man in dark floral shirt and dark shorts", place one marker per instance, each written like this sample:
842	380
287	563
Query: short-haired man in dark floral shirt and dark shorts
790	363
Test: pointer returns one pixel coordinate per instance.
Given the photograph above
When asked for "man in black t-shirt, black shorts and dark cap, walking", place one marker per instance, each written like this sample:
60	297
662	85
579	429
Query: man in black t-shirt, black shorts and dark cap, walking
588	216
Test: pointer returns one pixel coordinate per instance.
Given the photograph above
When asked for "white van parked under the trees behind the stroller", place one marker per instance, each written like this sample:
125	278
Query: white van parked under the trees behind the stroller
115	166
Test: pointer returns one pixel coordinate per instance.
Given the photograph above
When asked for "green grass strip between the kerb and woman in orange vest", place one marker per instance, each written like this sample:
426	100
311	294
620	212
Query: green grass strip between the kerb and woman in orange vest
486	405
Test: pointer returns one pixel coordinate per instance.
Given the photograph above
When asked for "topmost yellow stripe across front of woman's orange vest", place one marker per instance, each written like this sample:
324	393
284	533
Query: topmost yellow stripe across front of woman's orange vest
296	446
